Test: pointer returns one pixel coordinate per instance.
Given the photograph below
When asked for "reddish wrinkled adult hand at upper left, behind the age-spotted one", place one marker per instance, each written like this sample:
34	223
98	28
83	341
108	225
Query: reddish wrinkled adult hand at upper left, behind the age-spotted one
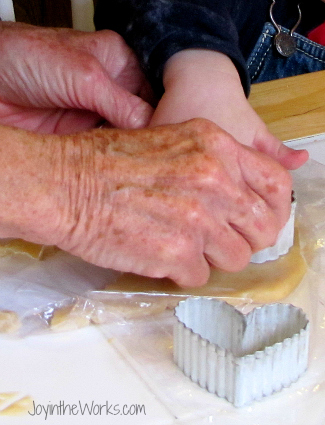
62	80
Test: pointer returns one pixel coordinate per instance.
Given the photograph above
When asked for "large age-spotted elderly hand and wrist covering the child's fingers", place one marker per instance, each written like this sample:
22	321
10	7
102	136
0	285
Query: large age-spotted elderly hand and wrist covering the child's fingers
164	201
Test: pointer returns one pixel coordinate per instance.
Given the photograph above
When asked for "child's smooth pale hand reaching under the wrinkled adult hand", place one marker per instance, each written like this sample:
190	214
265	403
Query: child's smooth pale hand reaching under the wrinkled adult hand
204	83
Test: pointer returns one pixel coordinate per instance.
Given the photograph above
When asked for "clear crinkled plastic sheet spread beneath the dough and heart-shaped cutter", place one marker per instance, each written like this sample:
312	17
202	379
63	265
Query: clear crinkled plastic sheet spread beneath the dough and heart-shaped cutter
140	326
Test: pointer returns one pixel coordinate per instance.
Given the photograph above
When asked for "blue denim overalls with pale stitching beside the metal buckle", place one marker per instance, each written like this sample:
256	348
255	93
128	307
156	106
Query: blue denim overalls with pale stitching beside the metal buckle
265	63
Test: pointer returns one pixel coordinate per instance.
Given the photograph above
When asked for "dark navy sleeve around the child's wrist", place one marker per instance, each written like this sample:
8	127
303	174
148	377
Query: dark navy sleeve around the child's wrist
157	29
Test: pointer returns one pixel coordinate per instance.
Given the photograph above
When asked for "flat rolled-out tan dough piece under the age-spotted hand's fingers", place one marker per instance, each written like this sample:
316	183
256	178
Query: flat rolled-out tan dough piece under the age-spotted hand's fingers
262	283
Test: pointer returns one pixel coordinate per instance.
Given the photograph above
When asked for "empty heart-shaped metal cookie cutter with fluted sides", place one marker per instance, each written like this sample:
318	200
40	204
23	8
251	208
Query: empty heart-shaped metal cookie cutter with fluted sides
240	357
